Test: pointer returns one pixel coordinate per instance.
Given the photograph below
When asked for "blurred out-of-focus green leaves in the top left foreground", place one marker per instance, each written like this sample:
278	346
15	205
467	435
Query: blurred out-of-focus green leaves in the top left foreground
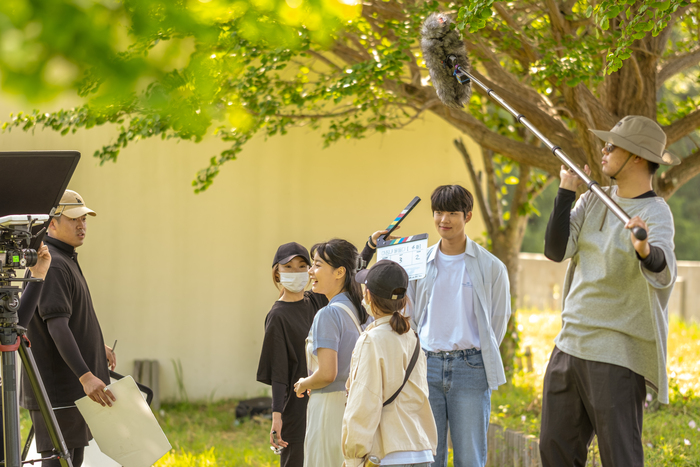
50	46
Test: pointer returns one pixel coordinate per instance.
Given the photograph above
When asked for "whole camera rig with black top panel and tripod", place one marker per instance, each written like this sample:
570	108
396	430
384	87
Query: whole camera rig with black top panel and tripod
20	237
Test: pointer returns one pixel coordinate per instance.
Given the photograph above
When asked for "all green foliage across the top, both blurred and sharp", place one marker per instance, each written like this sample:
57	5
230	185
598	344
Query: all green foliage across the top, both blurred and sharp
186	69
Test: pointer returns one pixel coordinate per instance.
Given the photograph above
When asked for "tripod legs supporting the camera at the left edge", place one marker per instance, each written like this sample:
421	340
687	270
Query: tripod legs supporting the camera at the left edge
13	340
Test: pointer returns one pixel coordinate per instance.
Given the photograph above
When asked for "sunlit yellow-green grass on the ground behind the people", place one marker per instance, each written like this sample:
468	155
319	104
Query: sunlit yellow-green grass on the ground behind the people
207	435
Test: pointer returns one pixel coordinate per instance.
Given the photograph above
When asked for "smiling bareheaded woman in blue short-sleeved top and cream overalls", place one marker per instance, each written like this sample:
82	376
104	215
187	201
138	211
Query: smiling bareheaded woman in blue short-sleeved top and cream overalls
333	334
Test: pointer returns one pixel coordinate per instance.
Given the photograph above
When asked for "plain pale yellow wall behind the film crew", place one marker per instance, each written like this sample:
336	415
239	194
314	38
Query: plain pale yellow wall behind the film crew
176	275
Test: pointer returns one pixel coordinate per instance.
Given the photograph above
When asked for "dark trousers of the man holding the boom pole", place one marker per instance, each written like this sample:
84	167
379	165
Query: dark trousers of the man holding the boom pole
582	398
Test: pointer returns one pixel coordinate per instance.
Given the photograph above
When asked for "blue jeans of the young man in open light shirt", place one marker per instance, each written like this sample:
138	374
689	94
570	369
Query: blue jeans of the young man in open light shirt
460	396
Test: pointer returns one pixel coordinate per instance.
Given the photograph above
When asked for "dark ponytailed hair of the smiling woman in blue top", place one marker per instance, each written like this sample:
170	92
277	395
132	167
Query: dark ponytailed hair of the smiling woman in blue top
338	252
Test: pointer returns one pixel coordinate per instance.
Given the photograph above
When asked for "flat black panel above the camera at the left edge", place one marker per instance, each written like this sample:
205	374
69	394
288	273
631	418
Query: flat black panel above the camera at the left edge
33	182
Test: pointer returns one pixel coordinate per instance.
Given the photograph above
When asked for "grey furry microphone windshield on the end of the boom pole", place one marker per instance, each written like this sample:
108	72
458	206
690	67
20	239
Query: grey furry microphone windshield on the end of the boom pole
446	59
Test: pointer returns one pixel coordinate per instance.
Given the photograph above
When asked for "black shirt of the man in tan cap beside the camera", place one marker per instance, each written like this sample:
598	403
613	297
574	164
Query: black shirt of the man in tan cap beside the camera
65	294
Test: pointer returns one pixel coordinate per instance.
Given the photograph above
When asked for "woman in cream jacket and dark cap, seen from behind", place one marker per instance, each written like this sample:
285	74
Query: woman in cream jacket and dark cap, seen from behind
388	412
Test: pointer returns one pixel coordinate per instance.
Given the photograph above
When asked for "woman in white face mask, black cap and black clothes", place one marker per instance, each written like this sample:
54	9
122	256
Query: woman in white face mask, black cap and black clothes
282	360
